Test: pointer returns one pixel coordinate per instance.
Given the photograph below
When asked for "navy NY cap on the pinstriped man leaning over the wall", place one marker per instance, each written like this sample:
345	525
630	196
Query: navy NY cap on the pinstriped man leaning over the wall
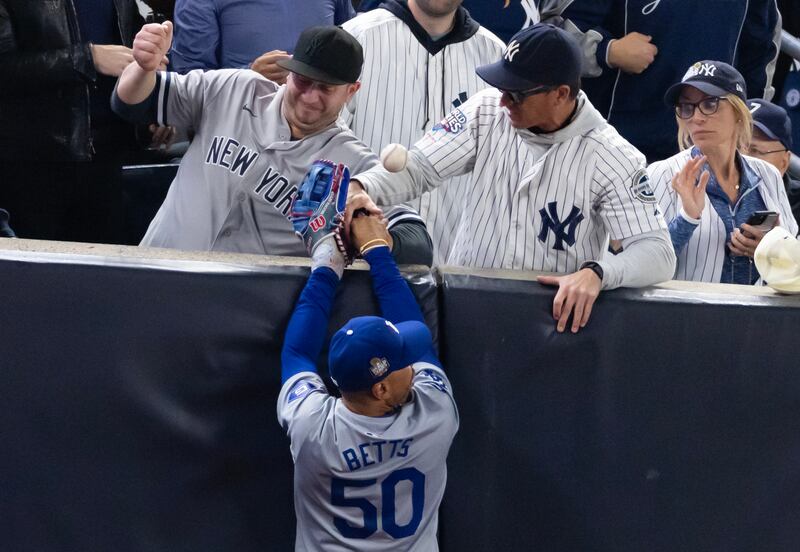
541	54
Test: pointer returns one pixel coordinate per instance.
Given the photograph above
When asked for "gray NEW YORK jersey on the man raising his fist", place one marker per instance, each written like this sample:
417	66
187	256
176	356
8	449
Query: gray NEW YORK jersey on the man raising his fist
236	182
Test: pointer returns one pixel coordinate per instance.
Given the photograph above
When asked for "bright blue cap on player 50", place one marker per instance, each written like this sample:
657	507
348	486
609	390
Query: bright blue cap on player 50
368	348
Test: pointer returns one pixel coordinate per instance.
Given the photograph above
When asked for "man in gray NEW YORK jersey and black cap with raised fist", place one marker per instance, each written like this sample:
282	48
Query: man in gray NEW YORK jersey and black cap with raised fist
253	143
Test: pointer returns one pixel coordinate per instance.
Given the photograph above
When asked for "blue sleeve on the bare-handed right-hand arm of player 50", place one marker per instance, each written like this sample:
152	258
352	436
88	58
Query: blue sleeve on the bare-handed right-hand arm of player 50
394	296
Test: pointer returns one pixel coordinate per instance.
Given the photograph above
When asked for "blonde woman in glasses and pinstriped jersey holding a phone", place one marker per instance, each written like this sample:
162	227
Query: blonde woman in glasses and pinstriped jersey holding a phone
710	190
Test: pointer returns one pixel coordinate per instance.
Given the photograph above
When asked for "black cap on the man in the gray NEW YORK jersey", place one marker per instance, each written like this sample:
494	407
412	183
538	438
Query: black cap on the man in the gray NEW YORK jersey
326	54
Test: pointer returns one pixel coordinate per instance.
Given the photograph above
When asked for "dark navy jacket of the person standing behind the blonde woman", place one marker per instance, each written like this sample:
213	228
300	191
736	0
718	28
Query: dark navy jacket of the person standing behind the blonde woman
739	32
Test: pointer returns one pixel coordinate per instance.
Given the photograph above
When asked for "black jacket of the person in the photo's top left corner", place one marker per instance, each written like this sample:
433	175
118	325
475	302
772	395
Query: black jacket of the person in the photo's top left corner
46	70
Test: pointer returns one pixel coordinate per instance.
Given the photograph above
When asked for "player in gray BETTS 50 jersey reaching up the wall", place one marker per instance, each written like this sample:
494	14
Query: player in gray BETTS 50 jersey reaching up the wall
370	467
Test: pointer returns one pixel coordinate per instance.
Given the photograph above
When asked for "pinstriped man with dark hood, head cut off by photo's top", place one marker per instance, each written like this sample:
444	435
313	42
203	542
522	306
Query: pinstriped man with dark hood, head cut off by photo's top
419	62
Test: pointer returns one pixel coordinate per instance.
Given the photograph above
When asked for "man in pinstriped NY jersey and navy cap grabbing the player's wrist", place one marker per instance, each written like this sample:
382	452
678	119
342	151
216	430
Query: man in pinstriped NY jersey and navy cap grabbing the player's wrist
551	181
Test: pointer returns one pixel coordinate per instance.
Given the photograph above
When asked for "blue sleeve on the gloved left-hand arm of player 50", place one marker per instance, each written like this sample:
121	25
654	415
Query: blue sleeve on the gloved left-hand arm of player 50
307	328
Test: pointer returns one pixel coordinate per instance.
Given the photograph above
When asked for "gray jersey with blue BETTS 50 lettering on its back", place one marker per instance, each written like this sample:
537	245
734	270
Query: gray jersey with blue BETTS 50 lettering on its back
364	483
